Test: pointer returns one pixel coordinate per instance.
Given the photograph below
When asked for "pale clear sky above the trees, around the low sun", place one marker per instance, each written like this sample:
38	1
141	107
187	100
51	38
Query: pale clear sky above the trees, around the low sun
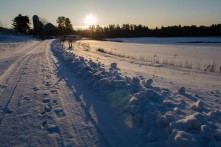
151	13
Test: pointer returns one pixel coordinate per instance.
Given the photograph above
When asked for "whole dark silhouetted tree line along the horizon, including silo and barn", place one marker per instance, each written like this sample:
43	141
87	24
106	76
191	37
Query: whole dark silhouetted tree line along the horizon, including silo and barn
65	27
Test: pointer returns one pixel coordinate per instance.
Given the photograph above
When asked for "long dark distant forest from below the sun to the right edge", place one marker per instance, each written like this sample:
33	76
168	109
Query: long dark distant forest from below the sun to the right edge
129	30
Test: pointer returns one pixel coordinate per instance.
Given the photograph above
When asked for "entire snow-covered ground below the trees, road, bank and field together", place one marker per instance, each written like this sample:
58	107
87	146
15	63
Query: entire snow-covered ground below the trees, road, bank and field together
52	96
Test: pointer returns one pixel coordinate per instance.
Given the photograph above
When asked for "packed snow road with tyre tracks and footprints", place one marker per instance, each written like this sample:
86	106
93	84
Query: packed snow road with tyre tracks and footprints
43	104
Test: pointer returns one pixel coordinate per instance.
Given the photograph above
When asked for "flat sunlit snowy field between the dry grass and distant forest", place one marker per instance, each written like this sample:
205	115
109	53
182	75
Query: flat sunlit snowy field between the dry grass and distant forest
167	51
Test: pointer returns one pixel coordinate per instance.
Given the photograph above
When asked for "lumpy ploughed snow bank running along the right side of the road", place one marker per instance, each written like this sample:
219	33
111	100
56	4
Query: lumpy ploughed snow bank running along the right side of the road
163	120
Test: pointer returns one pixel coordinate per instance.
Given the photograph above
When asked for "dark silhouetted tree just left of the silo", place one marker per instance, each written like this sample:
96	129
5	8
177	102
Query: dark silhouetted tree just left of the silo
21	23
